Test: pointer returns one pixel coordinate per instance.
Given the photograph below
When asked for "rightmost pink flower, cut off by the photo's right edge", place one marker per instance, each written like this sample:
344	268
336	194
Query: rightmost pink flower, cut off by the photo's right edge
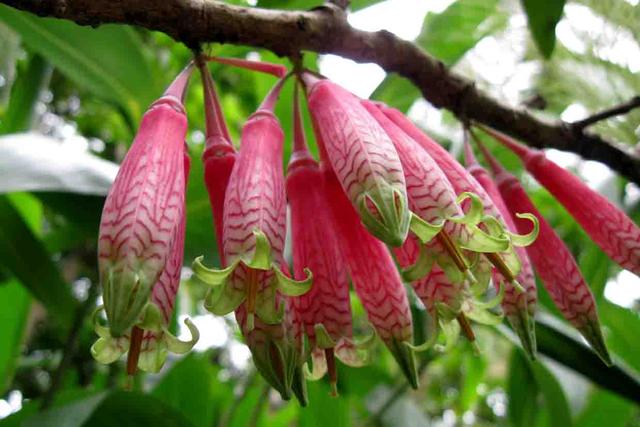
608	226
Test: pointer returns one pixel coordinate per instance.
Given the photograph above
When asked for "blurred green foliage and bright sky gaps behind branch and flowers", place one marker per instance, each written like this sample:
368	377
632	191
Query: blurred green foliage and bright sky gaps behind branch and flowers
80	93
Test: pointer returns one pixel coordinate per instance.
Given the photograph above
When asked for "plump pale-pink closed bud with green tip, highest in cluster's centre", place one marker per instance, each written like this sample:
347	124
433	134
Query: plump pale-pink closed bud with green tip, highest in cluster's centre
362	157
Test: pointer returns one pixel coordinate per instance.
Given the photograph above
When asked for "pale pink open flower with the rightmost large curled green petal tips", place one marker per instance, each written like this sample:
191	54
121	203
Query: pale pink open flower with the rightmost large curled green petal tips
507	261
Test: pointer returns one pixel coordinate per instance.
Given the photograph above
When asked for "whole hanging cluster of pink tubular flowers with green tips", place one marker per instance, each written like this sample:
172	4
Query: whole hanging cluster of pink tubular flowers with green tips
383	206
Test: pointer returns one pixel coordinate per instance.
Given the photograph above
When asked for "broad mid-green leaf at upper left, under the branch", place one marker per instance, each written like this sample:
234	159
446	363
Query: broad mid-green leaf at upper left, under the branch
108	61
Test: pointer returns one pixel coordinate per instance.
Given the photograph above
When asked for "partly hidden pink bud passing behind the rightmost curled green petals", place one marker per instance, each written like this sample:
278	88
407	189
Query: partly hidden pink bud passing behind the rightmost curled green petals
519	307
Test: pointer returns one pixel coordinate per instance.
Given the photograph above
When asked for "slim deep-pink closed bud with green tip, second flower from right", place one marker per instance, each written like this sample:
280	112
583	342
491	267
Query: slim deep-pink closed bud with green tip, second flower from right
554	263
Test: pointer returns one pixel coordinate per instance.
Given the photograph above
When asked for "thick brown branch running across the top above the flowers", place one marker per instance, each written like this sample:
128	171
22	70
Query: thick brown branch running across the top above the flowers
326	30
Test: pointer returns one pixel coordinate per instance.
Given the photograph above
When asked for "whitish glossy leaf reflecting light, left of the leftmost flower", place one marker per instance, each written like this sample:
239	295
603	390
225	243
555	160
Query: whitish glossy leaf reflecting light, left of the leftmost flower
32	162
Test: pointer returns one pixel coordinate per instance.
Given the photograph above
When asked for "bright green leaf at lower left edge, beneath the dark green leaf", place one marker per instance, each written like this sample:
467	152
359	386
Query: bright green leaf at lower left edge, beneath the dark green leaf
15	304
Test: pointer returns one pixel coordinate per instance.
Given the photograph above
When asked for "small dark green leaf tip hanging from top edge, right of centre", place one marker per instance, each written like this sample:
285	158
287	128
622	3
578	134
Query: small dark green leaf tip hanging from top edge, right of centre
542	17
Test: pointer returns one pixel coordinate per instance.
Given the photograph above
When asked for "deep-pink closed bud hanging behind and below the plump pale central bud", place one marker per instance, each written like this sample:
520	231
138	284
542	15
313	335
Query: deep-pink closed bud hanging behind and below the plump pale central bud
374	277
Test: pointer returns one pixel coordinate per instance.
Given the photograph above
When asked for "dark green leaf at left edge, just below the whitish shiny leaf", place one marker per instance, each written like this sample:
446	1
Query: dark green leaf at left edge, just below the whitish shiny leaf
24	255
